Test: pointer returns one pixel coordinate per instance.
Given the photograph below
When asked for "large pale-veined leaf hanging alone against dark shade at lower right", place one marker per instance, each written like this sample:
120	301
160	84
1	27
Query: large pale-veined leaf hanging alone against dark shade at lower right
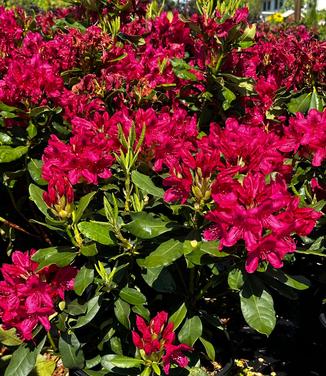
257	306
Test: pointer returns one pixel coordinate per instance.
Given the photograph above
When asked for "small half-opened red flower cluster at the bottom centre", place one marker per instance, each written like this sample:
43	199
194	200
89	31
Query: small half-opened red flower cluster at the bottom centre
157	338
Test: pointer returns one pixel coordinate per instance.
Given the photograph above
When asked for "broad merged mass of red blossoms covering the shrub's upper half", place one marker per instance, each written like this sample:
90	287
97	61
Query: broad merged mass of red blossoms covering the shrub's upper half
160	73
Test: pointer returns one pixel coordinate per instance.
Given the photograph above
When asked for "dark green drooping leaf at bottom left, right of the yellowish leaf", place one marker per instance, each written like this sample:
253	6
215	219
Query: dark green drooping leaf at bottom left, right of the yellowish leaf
71	351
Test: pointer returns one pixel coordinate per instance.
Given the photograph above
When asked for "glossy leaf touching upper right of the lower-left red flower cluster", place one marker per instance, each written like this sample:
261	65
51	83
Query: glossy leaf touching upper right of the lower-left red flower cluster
60	256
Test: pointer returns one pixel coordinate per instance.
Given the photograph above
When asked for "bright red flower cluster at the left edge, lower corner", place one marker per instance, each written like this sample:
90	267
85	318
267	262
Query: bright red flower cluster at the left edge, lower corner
27	296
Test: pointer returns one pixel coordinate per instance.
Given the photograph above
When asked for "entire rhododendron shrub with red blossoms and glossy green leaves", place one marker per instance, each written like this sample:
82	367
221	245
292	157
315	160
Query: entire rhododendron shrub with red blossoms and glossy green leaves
153	162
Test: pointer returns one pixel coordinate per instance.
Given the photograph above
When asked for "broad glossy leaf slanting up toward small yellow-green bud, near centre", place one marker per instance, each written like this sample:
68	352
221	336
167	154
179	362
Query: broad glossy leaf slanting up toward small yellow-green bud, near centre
165	254
